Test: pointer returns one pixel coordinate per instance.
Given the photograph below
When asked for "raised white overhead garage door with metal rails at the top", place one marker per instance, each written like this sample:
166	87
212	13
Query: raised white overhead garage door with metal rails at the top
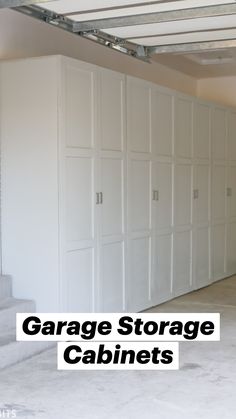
202	30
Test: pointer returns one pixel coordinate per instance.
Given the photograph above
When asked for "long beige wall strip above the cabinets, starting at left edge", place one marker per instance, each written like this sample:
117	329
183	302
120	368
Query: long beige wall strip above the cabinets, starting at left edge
22	36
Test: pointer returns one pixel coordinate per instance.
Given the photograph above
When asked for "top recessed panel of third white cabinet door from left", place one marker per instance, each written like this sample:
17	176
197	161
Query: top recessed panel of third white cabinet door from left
138	116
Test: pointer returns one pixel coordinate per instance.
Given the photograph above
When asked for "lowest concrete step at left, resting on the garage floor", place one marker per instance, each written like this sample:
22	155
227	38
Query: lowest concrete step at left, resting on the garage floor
12	352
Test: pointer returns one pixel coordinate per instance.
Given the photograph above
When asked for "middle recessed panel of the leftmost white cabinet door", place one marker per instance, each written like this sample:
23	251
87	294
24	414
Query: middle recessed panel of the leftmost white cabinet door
79	198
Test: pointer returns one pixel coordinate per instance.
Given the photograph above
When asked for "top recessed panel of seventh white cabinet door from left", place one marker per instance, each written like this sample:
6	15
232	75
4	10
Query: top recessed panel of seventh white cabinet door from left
218	128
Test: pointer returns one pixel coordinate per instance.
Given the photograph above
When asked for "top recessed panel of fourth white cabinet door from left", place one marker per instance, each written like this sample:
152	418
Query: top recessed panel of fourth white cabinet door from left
162	123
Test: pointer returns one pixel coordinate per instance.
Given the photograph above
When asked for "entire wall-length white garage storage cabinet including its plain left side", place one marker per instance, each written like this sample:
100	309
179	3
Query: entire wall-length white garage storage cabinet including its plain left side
117	194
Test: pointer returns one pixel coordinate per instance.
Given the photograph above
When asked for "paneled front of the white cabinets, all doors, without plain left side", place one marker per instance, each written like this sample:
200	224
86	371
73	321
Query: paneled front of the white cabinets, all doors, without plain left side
159	205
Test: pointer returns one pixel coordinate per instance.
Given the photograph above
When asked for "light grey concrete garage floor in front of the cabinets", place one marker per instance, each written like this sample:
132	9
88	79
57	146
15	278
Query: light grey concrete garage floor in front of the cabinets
203	388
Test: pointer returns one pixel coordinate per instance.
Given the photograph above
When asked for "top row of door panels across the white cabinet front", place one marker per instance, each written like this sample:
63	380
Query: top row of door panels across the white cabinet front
134	115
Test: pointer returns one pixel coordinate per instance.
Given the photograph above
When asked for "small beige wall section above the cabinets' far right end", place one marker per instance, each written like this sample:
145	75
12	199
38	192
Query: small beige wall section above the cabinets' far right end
219	89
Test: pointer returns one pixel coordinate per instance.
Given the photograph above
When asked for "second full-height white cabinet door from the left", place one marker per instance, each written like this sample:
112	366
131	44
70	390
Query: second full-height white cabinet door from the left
111	228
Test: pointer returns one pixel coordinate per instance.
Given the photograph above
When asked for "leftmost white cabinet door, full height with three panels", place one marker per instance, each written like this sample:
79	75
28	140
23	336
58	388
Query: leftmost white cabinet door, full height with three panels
80	101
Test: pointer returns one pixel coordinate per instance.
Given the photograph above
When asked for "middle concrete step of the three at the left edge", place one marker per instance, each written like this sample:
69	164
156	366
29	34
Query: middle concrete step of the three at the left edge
8	309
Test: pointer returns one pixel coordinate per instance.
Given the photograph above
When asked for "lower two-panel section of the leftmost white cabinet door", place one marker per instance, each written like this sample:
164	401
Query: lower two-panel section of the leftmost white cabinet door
80	234
